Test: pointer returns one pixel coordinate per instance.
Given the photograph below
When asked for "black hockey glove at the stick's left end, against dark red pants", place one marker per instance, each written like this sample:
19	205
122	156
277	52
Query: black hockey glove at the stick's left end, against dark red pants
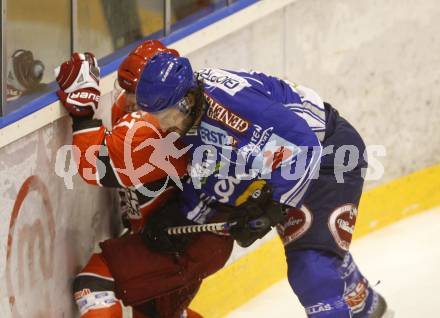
154	232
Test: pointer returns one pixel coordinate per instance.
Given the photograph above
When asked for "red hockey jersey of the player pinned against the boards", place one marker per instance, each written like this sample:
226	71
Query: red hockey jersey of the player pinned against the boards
124	158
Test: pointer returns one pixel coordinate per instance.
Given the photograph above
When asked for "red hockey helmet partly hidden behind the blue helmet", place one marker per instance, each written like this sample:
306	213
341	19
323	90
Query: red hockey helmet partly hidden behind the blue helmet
130	69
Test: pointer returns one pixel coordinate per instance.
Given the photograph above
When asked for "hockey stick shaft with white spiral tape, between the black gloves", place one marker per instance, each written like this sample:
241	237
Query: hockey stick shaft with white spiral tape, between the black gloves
221	228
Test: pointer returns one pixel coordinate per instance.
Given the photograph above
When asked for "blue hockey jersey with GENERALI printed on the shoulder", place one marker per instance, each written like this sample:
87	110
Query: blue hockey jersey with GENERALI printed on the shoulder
256	127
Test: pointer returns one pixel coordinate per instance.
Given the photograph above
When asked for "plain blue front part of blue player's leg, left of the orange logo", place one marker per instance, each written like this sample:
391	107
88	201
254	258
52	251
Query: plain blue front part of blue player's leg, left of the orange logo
315	279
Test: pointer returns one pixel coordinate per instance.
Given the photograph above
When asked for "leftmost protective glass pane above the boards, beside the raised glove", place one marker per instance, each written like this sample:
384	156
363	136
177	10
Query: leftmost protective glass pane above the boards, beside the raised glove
36	39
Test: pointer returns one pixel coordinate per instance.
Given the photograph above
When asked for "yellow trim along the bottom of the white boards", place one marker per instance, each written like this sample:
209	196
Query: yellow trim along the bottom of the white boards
244	279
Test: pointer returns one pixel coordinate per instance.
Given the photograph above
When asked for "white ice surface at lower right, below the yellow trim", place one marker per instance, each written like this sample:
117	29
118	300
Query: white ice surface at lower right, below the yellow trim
404	257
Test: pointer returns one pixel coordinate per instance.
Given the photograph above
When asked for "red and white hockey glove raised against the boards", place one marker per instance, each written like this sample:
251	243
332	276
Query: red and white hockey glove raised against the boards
78	80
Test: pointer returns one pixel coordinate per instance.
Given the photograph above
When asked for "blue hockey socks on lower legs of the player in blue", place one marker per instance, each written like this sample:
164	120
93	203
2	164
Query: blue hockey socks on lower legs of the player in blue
328	286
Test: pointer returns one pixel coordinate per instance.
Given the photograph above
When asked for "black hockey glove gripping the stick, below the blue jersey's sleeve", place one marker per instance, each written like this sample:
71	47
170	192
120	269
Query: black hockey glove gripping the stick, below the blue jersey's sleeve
254	218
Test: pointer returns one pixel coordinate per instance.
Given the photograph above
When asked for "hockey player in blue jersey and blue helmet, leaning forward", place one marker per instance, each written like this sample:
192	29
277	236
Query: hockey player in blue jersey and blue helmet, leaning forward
268	148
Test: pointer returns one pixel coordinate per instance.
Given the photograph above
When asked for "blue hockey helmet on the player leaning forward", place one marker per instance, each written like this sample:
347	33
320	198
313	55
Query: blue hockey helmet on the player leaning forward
165	80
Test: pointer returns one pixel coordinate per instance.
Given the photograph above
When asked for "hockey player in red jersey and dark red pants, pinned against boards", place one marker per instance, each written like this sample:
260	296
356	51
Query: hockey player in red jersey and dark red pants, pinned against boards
155	284
